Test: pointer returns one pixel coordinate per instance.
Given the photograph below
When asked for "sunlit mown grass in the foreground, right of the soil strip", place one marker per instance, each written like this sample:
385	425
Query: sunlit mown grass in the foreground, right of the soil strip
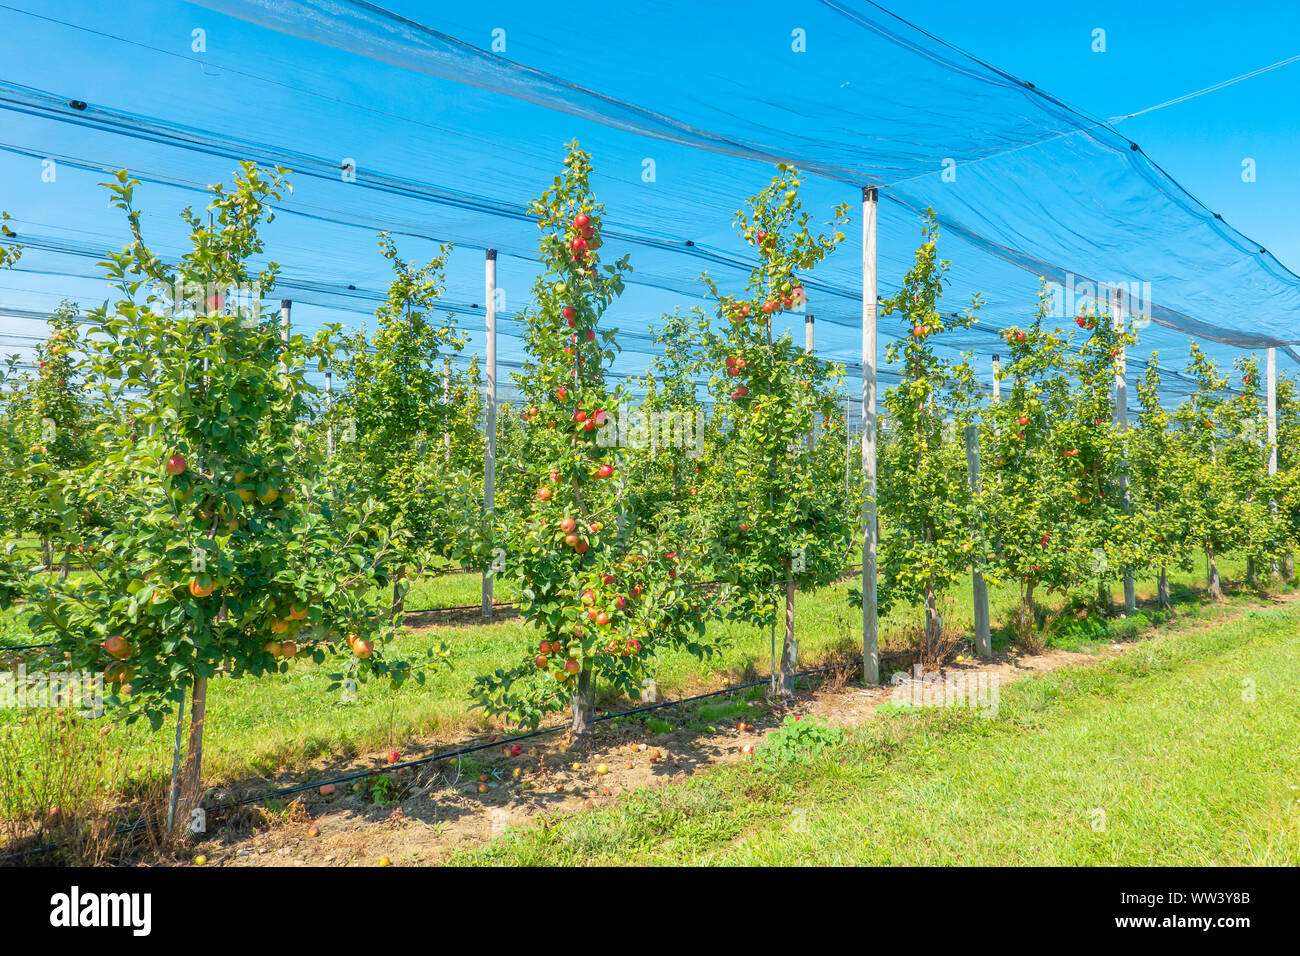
1181	752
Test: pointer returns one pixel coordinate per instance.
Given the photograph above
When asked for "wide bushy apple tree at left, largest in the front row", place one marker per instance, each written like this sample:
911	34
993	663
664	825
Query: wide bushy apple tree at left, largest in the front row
215	563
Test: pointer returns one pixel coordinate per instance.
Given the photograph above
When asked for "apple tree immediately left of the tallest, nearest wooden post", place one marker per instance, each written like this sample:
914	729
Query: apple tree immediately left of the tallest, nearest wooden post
777	526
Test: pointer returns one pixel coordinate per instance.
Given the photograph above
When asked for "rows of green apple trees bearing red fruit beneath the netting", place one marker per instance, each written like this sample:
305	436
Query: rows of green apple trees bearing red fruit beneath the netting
183	507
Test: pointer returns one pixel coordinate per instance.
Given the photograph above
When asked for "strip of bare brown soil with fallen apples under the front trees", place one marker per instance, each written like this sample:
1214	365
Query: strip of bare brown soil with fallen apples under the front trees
437	808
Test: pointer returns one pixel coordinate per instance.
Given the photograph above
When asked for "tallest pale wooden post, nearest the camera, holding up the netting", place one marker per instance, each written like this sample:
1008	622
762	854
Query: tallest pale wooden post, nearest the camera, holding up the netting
870	634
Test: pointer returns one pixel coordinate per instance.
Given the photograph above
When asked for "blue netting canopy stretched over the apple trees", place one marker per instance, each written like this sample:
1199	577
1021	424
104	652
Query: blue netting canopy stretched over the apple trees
440	123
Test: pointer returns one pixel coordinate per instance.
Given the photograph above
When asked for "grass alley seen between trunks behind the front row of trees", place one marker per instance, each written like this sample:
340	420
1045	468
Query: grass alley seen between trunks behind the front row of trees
283	724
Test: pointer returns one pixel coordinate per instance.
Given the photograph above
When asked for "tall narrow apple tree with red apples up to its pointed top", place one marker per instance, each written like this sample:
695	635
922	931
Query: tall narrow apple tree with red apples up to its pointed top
599	603
